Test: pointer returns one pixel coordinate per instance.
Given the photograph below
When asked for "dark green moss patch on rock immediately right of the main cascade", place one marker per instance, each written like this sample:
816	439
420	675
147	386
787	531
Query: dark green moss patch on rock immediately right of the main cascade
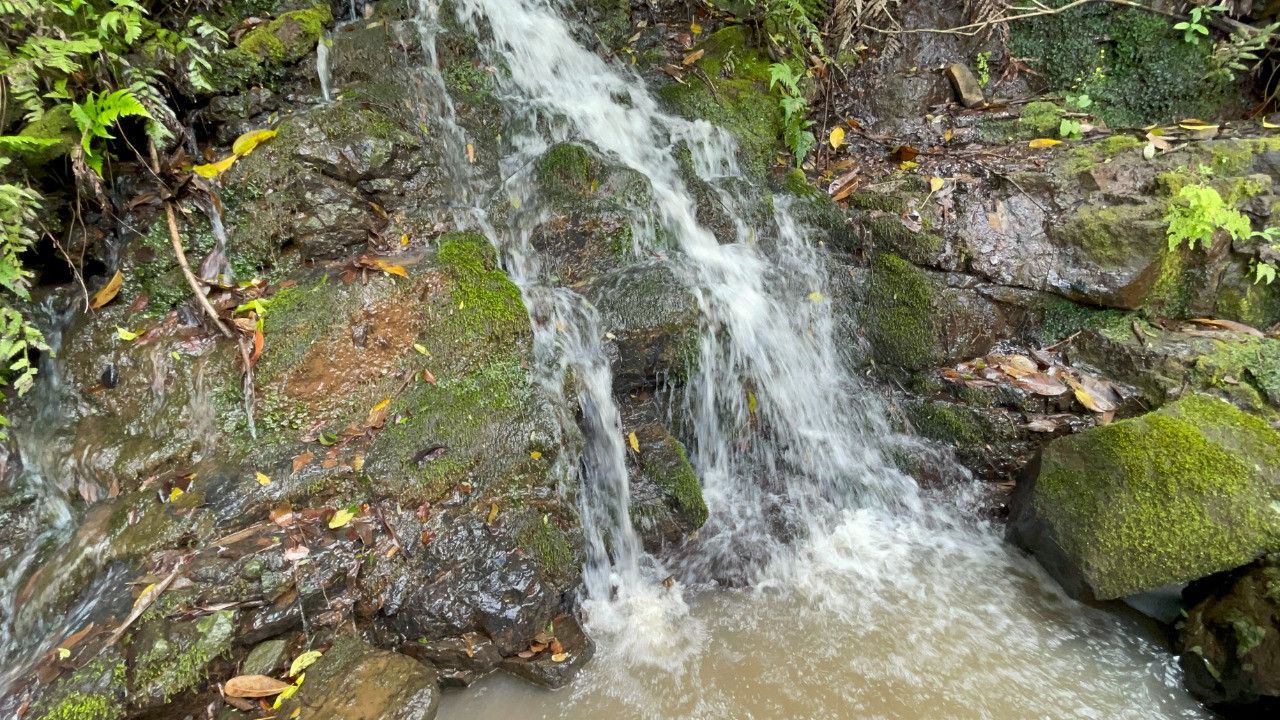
900	315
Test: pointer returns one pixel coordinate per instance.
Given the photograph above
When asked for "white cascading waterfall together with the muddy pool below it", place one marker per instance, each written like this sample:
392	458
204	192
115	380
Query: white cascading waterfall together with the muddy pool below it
860	596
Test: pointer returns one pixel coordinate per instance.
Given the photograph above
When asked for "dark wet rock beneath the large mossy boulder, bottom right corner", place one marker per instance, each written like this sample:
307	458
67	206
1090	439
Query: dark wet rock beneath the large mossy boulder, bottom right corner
1229	641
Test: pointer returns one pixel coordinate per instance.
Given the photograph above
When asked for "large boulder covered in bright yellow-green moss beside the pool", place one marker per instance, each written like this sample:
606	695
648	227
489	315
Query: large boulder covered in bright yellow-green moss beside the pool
1168	498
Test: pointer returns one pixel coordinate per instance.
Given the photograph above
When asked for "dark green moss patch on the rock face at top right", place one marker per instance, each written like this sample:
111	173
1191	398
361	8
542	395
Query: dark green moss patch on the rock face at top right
1136	67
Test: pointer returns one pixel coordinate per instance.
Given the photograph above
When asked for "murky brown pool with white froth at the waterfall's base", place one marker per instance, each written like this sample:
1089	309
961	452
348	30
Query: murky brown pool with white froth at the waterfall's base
880	621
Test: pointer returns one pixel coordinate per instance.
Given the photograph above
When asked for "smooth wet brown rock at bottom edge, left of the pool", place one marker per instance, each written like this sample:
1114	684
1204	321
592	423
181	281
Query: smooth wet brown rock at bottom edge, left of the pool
354	681
